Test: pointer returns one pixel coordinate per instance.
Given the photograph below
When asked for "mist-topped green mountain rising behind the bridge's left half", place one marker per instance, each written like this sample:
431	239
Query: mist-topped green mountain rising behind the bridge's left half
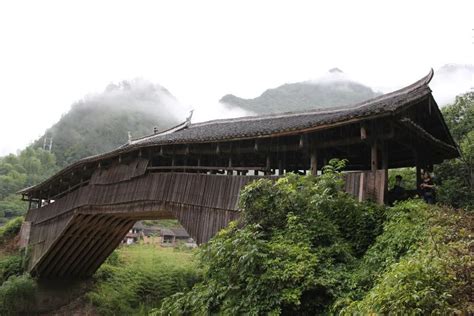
101	122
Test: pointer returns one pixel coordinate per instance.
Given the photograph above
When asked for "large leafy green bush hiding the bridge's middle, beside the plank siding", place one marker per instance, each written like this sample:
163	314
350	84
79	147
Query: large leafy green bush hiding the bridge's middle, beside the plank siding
290	254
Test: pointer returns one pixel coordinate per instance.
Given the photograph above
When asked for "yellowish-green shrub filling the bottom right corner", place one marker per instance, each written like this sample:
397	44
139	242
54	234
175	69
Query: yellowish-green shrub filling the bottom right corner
421	264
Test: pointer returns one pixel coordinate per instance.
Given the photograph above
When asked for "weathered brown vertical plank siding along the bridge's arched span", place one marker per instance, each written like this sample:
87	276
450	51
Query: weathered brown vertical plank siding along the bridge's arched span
203	204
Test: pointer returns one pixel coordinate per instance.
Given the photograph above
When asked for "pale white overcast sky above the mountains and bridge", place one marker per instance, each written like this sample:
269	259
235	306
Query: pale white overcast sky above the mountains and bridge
52	53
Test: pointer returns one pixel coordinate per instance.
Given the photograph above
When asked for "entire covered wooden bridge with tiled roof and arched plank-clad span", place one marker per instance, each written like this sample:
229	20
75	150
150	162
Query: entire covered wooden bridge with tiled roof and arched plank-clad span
194	172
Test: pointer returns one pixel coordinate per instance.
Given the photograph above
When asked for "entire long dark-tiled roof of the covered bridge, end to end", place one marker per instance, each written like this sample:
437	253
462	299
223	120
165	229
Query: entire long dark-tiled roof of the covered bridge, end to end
284	124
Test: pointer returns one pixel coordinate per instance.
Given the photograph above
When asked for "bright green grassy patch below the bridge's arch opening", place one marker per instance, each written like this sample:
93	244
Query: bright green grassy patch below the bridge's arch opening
136	278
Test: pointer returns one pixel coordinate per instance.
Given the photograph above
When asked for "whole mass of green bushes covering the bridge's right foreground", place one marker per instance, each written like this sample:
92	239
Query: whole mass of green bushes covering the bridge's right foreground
305	247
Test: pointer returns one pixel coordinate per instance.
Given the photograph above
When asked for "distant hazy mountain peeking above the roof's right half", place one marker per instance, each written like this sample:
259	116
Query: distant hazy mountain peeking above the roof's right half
335	89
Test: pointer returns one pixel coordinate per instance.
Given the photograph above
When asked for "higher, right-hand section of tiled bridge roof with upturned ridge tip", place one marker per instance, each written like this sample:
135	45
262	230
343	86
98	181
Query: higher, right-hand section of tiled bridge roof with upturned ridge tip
290	122
